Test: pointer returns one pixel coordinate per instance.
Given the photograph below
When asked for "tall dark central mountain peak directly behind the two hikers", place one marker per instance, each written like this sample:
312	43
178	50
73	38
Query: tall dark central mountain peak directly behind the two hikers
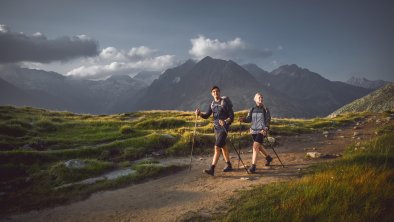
188	86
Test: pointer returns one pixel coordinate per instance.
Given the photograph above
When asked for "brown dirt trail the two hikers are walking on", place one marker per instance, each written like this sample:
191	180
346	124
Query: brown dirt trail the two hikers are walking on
176	196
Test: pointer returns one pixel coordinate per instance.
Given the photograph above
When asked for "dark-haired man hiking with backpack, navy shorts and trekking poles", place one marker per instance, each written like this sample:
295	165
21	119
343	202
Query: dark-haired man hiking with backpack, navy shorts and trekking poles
223	116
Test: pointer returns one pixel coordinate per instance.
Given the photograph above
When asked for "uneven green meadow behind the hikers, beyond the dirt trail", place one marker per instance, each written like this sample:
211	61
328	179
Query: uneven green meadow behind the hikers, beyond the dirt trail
35	143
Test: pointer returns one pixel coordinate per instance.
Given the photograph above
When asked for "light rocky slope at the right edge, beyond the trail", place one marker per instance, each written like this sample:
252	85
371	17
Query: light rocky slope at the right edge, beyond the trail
378	101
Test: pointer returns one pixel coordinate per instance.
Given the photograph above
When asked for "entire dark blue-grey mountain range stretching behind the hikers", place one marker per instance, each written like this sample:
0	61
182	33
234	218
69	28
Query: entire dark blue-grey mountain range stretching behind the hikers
289	91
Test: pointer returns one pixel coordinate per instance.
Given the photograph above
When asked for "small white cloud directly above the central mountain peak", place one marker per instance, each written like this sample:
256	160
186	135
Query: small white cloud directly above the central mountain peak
235	49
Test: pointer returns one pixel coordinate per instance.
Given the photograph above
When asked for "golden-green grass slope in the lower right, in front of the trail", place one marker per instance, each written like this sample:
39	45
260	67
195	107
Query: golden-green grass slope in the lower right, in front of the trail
356	188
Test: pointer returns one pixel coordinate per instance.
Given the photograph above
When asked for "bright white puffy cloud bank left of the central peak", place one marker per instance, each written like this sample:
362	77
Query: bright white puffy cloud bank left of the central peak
112	61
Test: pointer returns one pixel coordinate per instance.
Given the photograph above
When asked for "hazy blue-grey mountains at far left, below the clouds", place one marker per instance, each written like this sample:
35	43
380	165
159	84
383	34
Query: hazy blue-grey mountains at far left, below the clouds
77	95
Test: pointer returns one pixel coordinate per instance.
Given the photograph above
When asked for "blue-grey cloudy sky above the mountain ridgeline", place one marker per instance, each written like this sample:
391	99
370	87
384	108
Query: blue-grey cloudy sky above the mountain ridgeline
94	39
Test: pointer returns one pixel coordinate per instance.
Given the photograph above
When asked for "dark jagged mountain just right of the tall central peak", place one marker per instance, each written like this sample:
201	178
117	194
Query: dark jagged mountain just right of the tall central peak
314	93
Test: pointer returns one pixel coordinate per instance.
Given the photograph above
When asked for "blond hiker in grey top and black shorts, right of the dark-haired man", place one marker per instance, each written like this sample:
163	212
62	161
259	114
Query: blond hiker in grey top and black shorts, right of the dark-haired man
260	118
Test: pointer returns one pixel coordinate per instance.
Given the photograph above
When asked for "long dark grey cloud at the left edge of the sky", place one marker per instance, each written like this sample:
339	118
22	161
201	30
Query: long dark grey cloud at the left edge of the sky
18	47
